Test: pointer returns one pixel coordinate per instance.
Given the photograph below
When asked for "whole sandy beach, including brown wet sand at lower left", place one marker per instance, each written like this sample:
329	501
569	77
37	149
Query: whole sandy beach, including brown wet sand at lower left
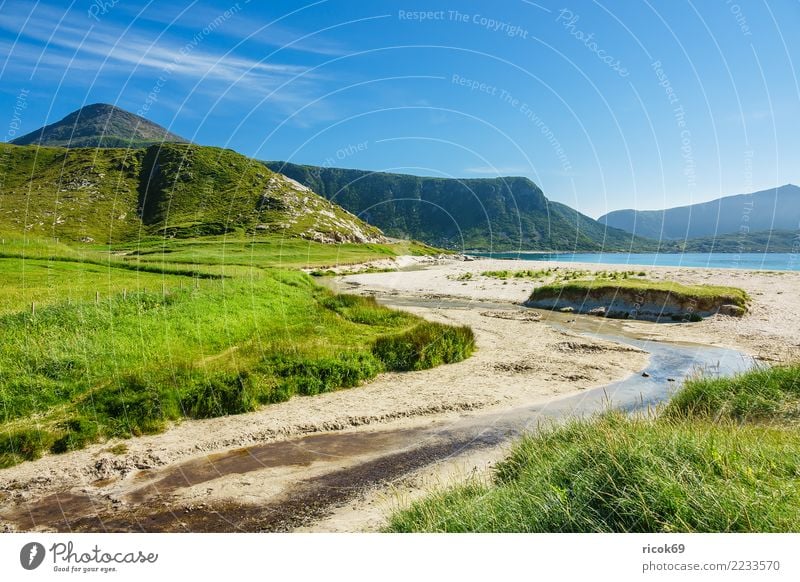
523	358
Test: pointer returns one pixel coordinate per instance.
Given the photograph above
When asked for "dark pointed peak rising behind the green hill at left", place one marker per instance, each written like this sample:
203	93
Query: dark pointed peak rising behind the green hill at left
100	125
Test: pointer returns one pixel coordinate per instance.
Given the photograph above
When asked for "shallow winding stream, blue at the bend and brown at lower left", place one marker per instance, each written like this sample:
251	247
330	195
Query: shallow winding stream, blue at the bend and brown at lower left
355	462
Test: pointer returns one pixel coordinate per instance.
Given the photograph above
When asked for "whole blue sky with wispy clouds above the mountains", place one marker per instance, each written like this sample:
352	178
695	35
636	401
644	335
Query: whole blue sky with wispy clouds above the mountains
605	105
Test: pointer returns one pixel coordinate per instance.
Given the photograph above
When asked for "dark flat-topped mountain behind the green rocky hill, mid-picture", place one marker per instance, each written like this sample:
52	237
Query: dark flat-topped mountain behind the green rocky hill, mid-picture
474	214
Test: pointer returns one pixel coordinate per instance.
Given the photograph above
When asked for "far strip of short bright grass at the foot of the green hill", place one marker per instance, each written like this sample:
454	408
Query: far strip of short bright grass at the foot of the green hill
43	271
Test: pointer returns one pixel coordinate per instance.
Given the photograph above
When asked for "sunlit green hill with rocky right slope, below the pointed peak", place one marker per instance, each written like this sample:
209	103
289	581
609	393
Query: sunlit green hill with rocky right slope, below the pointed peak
176	190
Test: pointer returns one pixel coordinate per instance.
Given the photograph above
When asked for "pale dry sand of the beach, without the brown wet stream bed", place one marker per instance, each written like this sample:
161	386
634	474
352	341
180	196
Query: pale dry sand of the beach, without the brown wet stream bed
520	361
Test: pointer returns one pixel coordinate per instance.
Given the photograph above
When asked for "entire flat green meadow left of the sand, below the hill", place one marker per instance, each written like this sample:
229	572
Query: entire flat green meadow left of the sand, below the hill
94	345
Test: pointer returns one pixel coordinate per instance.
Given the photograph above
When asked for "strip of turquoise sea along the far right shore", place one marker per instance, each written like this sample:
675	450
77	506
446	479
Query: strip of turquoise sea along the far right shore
748	261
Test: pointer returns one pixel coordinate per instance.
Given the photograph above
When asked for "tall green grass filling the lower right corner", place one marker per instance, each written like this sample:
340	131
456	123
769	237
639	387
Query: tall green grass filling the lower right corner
723	456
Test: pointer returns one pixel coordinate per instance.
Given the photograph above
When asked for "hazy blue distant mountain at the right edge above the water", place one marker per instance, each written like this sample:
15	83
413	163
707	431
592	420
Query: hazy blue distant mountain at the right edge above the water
774	209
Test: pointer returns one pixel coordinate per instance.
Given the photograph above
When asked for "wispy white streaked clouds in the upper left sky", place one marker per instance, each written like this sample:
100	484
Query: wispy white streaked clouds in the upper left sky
53	42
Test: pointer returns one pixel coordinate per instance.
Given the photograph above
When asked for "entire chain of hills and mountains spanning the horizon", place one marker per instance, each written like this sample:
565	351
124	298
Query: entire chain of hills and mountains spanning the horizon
143	180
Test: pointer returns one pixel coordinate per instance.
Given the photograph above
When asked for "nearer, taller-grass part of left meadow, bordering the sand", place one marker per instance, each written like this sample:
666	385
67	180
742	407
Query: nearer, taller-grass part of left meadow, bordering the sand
81	371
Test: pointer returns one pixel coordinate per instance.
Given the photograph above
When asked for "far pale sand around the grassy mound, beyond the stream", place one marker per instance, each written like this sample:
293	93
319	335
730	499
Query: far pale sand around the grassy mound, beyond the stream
767	332
